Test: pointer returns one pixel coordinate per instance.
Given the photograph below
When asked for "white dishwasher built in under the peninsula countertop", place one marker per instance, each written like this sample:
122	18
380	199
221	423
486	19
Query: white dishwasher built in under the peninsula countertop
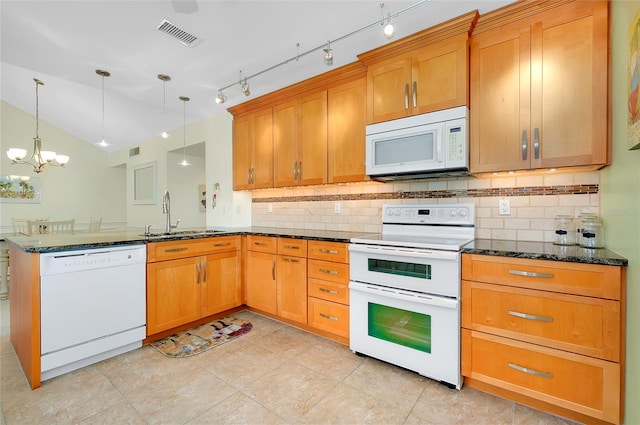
92	306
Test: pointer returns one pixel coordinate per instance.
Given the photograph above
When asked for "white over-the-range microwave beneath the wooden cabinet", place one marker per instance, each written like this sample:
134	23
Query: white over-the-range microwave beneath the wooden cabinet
421	146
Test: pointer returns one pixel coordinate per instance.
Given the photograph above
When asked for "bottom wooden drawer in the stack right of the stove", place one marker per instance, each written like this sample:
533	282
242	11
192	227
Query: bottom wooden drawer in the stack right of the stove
579	383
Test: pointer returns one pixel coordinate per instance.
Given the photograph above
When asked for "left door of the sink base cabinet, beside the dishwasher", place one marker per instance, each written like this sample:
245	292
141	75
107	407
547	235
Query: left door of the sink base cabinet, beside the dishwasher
173	294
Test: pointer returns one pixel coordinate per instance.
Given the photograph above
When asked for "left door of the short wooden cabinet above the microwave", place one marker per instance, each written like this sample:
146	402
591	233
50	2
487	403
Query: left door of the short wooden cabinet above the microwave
388	89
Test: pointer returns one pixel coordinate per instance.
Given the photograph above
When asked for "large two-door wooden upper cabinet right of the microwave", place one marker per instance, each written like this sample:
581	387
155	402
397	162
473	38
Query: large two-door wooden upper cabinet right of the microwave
539	89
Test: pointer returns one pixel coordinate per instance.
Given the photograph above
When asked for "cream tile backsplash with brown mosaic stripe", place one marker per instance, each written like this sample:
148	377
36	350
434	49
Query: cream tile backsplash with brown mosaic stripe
534	201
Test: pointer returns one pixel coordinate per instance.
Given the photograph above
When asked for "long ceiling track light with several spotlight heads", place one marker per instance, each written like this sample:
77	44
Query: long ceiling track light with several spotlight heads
389	32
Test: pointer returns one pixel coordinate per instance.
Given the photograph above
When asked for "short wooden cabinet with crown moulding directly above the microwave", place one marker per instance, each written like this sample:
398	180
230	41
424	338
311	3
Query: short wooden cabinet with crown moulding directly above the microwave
425	72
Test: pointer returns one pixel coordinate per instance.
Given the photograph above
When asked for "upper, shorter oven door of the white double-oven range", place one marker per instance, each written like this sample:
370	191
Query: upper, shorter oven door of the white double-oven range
431	271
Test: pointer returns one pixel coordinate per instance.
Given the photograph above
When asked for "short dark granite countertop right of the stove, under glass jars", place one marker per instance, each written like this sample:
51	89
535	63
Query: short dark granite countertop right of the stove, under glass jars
544	251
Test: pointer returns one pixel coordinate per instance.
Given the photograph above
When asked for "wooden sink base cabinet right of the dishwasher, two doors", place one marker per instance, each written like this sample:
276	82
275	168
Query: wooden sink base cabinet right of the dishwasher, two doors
183	287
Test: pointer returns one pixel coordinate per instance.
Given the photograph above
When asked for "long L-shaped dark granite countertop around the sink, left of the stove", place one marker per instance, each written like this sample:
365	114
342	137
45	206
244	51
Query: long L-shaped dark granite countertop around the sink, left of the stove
77	241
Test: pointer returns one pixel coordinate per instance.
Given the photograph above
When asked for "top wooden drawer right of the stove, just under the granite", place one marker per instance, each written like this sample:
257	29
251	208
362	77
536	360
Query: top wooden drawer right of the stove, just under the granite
592	280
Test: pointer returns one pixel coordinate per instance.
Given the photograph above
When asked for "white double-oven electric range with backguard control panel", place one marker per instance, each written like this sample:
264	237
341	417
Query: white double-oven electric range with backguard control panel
405	289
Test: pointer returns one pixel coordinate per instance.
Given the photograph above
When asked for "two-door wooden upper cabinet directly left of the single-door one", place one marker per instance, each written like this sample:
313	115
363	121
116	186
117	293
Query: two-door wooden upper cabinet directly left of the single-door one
300	140
